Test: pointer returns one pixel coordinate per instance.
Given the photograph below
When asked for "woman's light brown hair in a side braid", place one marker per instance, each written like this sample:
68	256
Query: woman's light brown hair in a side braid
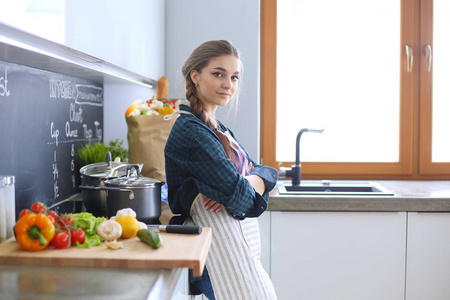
199	59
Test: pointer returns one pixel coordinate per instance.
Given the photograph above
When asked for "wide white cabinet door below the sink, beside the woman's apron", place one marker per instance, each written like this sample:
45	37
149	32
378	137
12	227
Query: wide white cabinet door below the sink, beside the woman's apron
338	255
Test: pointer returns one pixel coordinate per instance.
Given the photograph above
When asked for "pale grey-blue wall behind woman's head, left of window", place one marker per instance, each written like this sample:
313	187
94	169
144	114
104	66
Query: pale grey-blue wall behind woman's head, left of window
190	23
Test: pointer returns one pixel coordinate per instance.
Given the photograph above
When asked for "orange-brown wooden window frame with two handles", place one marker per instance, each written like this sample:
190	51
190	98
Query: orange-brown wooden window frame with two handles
415	105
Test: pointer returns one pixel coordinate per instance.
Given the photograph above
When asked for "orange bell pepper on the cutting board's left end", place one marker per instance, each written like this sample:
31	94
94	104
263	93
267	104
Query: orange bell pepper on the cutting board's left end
34	231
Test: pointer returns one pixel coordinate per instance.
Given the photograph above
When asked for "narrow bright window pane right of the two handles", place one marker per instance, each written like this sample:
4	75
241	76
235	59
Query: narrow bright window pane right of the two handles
441	88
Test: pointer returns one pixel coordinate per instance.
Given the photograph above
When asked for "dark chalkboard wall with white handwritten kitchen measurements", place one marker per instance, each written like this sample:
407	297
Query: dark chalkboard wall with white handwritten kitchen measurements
44	118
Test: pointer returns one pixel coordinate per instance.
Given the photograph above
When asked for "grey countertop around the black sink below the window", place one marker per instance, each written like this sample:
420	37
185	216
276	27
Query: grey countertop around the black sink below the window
412	196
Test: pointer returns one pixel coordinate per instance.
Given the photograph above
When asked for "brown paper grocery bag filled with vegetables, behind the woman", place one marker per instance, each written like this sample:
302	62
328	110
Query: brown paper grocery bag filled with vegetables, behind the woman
147	137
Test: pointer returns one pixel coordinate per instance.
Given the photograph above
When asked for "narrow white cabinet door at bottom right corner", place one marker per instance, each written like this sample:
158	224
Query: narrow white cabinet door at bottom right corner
428	262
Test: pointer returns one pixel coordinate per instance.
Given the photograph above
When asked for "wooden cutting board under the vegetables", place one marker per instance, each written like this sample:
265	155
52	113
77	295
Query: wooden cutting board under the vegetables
178	251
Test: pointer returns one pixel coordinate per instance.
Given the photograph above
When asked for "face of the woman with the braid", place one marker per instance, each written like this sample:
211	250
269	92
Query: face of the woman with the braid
217	82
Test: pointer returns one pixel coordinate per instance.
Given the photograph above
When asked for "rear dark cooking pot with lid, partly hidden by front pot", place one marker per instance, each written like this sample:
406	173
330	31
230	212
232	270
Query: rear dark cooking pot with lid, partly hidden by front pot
95	175
